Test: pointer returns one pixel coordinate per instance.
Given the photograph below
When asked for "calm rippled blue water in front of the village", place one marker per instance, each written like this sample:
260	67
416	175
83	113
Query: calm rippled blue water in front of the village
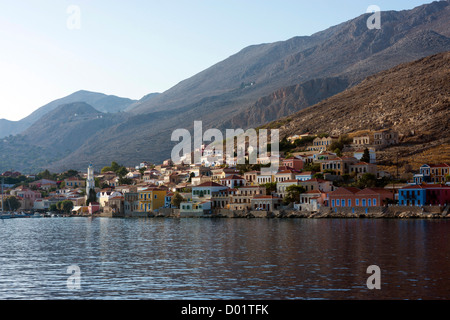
223	259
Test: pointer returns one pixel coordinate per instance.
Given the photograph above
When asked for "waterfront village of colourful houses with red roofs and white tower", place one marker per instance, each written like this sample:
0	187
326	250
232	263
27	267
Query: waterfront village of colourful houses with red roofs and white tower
331	177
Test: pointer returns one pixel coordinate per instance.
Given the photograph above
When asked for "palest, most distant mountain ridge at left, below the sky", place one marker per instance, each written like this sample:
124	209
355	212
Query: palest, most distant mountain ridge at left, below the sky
102	102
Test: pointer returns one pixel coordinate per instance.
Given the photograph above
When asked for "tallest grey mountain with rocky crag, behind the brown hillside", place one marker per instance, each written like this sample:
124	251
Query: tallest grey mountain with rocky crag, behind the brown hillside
264	82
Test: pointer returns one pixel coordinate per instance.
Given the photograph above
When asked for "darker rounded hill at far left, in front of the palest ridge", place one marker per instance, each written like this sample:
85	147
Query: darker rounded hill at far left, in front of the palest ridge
54	136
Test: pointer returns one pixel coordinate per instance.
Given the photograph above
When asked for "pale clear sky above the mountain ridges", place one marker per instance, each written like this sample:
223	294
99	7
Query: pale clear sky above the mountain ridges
52	48
